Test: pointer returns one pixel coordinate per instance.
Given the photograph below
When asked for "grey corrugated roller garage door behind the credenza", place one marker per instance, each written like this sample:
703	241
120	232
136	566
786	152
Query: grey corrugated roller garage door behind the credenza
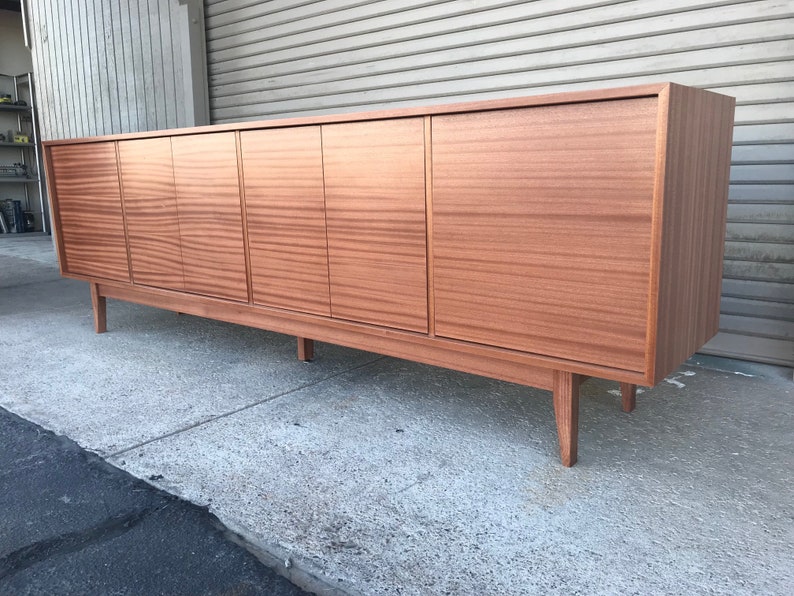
291	58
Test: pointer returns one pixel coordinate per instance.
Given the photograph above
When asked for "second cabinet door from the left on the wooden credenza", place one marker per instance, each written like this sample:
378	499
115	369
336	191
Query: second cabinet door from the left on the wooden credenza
147	179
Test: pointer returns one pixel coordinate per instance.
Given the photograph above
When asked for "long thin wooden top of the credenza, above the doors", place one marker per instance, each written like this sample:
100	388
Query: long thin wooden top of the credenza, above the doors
649	90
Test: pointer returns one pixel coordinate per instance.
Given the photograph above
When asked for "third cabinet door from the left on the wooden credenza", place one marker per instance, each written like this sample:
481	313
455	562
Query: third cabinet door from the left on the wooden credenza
210	214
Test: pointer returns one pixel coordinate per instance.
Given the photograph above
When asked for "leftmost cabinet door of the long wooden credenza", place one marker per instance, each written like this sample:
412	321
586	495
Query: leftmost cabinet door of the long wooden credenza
86	185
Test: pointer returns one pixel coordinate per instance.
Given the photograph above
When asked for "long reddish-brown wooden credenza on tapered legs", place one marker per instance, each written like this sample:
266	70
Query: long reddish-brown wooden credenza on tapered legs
539	240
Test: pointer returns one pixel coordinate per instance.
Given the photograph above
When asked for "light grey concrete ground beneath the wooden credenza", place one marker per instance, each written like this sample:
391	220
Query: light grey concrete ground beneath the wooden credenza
387	477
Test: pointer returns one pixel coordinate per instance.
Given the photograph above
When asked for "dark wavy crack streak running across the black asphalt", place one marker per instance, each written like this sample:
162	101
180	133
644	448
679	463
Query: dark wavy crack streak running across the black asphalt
71	542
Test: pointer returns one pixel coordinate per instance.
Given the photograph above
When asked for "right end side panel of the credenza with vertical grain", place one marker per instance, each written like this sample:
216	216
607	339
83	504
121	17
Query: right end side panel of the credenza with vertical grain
695	200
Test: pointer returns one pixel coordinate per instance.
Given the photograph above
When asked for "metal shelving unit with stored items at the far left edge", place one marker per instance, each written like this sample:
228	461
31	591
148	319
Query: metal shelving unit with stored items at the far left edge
23	118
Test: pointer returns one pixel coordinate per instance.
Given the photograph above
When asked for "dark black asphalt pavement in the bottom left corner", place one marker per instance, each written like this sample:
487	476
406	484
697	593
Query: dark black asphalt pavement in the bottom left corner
70	523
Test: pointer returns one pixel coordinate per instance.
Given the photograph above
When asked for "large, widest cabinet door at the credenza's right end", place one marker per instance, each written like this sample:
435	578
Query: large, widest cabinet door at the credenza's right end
542	228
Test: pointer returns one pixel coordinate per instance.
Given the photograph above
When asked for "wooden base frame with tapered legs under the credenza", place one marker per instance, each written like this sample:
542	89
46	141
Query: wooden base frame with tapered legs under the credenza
507	365
